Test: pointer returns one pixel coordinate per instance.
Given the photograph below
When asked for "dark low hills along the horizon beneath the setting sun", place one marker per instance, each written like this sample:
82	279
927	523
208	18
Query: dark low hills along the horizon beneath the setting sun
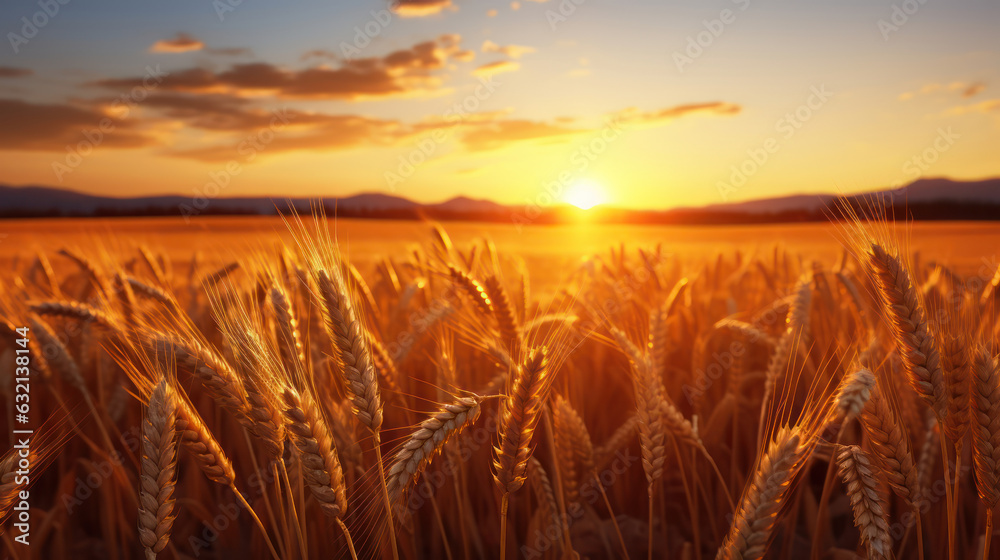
924	199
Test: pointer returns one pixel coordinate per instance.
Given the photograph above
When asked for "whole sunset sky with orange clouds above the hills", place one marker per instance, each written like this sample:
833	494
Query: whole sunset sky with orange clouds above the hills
634	103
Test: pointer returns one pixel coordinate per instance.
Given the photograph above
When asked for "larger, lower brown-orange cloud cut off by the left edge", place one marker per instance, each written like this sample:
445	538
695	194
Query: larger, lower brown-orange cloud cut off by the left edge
51	127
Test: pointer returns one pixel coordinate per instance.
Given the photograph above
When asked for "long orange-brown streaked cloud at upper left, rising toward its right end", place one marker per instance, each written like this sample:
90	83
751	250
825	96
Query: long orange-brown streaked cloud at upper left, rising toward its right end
403	72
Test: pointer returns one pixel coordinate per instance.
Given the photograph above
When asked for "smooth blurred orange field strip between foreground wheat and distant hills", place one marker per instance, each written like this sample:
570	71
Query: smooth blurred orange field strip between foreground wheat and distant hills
549	251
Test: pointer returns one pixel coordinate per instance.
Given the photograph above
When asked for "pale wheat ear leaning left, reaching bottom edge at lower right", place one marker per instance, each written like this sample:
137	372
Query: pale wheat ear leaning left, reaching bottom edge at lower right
871	514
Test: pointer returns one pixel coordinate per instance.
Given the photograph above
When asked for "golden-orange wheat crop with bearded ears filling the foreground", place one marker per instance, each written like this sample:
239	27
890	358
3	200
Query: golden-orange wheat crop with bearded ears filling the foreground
437	403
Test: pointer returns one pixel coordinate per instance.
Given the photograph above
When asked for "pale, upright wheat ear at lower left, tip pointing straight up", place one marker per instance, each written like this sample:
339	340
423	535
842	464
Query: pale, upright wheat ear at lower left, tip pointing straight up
158	472
